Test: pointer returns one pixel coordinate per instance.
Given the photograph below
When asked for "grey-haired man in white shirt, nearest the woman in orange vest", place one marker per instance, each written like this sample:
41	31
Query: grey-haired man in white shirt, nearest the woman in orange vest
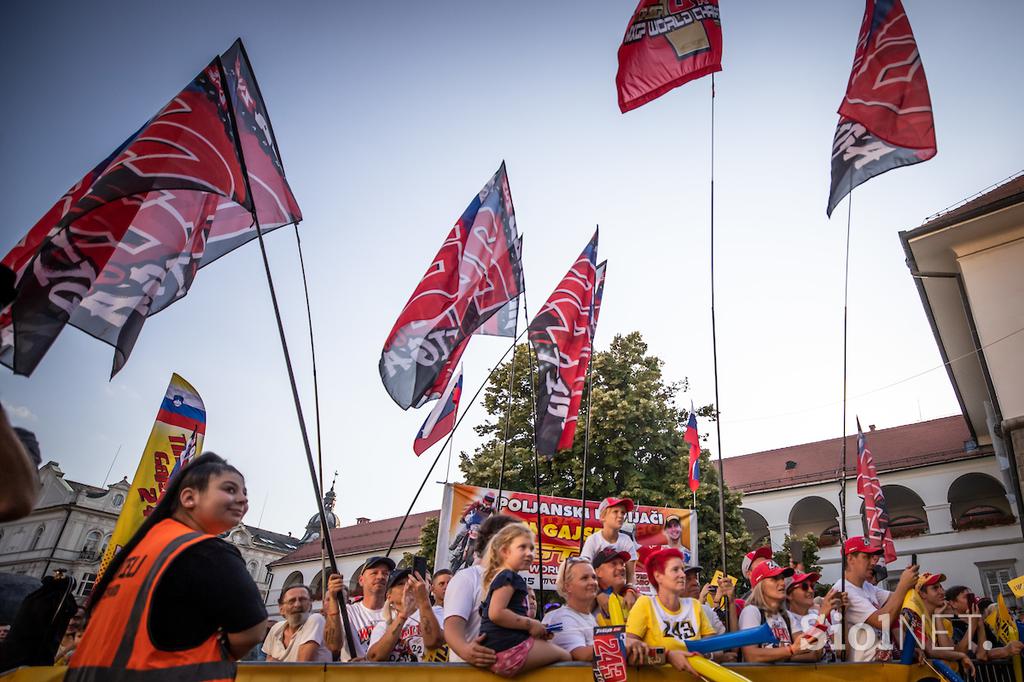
300	638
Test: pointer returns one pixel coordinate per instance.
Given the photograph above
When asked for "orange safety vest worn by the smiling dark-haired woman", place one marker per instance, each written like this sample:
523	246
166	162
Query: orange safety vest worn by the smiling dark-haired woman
117	645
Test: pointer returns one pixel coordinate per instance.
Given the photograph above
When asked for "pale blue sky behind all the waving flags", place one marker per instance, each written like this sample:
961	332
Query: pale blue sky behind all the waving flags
391	116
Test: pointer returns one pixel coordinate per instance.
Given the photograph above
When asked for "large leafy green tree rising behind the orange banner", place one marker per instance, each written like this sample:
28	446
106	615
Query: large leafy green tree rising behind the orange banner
636	444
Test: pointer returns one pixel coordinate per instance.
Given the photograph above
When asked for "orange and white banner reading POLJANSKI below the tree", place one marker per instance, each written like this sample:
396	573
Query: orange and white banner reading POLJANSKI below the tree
466	507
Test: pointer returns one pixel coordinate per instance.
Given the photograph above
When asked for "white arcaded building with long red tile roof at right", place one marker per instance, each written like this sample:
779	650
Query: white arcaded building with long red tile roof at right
946	498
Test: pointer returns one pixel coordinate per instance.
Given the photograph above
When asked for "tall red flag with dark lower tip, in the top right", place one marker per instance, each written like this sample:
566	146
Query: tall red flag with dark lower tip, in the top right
886	116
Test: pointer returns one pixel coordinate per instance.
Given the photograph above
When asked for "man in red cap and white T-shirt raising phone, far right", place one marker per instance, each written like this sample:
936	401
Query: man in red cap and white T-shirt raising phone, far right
870	610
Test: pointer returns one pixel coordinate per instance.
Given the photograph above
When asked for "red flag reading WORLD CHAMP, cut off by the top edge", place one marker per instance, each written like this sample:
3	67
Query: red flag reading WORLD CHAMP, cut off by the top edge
667	44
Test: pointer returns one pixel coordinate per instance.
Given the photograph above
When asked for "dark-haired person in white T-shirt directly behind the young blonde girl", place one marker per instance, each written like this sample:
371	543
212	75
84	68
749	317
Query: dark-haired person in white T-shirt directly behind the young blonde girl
462	604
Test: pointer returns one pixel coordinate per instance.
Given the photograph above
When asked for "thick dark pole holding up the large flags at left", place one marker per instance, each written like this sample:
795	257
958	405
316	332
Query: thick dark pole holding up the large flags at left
288	362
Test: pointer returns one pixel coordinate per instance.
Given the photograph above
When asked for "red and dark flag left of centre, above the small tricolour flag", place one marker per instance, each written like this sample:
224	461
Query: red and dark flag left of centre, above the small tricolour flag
476	275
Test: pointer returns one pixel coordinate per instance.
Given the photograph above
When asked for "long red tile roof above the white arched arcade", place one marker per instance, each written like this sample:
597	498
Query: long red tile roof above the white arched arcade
898	448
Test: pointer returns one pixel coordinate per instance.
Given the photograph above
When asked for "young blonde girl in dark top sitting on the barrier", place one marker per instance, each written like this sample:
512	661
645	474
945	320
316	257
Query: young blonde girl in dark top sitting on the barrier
520	642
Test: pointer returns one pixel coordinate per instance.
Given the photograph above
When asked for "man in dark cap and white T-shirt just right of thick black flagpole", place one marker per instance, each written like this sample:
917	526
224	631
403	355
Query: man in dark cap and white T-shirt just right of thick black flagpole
363	616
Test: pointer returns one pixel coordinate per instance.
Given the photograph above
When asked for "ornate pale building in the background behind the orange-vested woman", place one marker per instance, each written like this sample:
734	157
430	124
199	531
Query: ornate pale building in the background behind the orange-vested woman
72	524
